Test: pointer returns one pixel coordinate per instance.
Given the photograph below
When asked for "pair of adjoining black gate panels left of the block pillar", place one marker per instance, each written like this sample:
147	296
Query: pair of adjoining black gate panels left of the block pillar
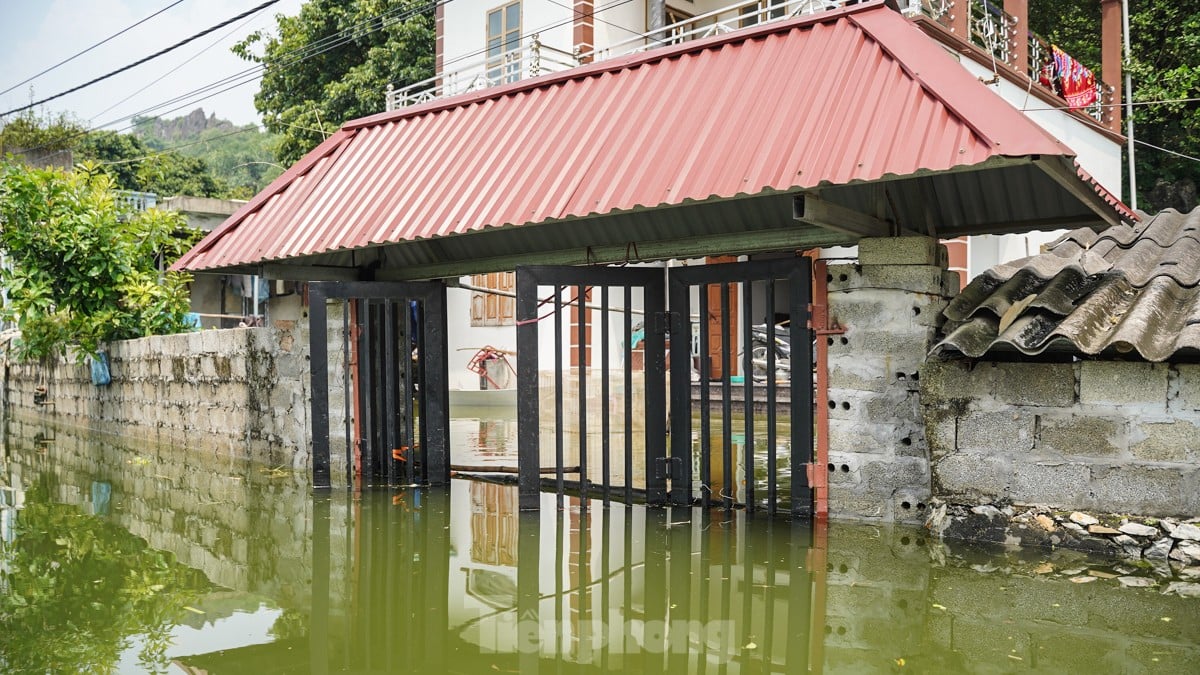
773	396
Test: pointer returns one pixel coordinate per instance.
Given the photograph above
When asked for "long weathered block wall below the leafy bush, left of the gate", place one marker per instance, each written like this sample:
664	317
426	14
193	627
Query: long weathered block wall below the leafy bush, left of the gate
241	393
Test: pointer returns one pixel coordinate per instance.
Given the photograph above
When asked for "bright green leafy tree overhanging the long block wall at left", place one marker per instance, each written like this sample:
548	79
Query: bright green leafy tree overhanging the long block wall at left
82	271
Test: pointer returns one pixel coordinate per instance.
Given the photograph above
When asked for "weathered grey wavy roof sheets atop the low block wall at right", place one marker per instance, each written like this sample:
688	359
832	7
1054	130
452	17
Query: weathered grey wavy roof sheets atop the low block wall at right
1123	290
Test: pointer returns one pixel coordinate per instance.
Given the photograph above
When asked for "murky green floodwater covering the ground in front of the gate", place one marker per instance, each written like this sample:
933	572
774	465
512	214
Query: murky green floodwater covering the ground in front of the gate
118	557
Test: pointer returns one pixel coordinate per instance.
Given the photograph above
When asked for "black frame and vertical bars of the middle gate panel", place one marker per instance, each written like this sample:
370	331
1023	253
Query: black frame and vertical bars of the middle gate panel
529	306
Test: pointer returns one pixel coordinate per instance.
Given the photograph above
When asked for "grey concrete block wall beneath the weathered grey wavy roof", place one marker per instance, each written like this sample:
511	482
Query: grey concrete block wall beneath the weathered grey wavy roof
1100	435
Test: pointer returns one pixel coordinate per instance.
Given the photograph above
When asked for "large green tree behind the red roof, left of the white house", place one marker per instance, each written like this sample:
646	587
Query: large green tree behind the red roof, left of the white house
309	89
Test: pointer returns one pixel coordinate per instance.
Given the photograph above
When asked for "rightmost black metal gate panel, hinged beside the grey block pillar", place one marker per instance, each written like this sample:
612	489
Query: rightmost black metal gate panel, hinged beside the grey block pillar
769	363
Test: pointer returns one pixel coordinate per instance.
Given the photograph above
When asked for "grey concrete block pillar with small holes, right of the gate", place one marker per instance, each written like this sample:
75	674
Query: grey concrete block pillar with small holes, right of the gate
890	306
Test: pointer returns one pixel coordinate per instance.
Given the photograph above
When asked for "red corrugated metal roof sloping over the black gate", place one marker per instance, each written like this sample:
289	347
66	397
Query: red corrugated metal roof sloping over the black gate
853	95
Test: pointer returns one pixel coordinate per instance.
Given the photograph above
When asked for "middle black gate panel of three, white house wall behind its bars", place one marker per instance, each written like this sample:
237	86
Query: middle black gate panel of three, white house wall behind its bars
541	296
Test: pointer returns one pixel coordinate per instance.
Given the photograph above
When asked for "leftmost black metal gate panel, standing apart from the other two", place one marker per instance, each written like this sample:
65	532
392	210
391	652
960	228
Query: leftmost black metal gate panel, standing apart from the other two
393	381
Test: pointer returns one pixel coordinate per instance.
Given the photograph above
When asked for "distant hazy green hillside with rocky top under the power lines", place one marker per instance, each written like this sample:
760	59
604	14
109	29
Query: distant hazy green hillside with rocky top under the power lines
243	157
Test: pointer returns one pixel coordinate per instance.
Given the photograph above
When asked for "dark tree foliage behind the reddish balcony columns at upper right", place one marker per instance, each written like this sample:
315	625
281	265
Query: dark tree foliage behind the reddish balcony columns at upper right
1165	67
